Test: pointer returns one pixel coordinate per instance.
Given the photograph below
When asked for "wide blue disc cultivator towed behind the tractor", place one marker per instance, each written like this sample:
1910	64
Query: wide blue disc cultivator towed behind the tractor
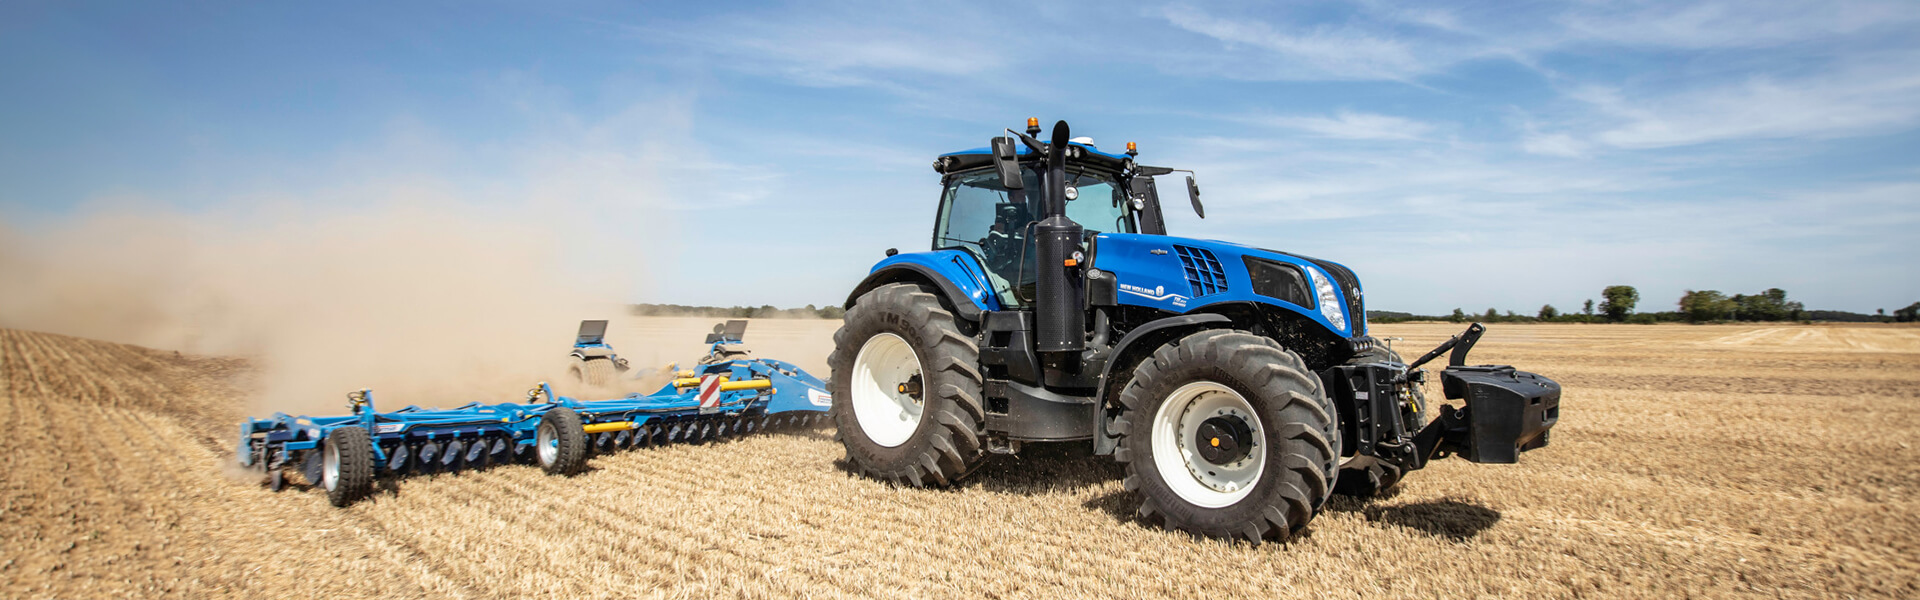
729	393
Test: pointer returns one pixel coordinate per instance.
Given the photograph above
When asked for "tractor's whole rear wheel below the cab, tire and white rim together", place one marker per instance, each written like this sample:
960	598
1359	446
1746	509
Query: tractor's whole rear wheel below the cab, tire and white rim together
907	389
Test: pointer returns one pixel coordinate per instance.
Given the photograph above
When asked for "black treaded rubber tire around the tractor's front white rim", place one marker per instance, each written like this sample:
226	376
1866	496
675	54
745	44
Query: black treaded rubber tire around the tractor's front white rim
1299	430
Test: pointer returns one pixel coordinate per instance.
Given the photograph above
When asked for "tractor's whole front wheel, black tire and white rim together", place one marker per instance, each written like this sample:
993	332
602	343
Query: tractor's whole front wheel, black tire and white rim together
1228	436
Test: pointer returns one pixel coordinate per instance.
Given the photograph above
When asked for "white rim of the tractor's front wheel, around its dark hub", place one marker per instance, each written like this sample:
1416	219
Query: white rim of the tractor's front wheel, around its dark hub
1178	445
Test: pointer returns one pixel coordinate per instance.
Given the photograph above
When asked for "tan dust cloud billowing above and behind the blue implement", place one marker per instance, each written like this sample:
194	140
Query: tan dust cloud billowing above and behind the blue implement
425	303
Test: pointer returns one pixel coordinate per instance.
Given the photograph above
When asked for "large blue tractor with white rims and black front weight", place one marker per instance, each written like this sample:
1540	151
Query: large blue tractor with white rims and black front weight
1237	386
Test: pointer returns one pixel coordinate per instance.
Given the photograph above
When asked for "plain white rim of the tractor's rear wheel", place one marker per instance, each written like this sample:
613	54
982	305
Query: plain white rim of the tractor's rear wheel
886	414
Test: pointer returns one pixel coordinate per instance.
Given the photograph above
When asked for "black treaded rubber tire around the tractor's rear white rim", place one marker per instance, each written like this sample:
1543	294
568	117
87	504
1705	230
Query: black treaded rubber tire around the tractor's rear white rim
948	441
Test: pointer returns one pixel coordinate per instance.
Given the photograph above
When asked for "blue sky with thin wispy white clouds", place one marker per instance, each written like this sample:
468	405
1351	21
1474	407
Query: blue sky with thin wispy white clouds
1454	155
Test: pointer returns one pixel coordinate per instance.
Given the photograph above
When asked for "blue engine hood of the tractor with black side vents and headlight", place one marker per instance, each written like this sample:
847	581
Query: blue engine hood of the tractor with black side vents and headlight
1186	274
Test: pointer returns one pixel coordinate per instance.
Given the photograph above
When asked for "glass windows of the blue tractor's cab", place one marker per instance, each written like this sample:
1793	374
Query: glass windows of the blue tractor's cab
980	218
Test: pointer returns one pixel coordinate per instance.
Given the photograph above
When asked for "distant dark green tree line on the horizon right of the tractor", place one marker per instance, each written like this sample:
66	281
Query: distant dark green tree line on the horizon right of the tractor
1696	307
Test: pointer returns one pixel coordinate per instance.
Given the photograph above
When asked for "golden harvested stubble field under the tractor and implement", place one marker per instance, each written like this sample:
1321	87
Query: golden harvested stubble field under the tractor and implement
1691	461
